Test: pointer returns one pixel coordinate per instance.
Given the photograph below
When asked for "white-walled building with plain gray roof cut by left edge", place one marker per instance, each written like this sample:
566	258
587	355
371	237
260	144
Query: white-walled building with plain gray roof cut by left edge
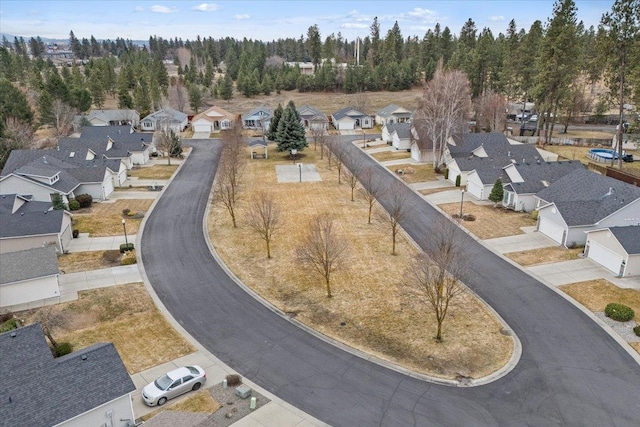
28	277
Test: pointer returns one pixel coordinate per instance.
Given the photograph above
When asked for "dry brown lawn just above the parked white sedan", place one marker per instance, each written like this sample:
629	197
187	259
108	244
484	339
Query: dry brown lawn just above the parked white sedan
126	316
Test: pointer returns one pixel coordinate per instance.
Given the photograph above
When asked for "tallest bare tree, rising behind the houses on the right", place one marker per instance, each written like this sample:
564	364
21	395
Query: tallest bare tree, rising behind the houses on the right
443	110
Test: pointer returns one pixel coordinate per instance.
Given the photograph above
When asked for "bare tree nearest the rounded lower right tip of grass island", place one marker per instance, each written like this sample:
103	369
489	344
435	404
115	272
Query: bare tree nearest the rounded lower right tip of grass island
434	276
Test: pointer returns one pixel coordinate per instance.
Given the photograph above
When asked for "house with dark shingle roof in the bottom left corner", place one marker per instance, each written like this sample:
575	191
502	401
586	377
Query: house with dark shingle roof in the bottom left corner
87	387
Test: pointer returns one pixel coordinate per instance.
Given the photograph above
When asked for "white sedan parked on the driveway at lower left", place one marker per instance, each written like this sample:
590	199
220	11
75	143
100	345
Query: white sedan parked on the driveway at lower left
173	384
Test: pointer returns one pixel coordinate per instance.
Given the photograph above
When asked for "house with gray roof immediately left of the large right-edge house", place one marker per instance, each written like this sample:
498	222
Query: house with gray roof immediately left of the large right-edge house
525	180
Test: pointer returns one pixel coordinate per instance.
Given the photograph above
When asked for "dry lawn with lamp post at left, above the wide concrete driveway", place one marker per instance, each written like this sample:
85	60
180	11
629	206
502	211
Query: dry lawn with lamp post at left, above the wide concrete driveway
105	219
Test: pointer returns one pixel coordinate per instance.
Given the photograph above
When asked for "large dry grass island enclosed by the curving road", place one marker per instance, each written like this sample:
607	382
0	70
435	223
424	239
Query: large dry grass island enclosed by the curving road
369	309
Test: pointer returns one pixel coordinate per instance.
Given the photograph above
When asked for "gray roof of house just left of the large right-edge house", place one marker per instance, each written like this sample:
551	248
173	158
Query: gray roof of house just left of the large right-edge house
539	175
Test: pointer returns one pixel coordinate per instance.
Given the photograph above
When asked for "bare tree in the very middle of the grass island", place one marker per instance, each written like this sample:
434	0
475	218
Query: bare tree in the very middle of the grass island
323	248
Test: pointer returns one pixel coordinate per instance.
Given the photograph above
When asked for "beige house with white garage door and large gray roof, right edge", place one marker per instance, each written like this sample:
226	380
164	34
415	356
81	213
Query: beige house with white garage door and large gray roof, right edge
583	201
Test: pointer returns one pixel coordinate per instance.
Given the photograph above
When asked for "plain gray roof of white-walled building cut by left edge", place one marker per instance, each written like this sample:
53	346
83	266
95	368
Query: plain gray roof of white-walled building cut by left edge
28	264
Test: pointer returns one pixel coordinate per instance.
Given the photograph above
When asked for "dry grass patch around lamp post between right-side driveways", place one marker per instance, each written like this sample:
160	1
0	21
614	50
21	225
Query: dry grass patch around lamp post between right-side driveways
490	222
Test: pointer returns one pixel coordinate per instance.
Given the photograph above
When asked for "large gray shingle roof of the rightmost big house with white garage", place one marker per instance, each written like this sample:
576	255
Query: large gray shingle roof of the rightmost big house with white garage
584	197
